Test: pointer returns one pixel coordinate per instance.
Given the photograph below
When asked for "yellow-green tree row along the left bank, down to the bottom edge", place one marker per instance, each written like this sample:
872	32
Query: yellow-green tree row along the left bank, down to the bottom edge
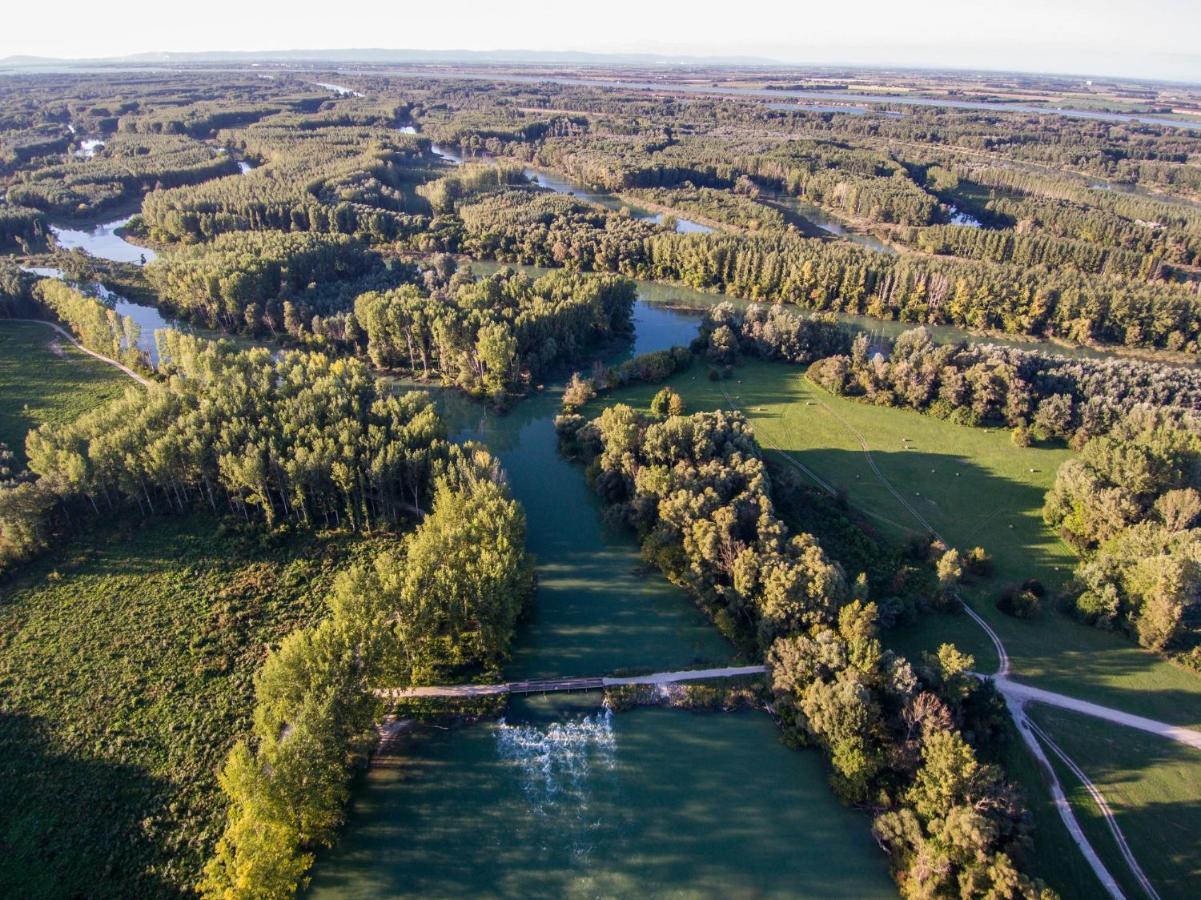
445	597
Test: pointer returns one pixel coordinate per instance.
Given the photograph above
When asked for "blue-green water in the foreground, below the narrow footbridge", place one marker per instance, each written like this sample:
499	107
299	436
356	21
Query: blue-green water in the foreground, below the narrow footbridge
563	800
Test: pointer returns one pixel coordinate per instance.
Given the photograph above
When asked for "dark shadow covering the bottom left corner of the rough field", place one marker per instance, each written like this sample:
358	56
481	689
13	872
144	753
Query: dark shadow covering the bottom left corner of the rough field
70	826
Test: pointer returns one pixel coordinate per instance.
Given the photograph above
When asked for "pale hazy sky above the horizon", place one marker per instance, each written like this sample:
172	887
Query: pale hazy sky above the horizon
1145	38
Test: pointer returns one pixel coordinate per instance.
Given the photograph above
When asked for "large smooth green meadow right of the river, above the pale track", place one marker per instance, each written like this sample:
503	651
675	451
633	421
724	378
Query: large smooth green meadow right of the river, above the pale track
973	487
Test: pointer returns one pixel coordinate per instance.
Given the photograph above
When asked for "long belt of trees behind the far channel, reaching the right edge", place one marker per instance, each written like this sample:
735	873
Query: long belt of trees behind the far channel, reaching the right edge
517	227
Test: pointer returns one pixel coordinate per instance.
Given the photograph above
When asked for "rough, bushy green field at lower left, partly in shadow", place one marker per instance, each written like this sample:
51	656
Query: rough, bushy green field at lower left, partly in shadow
127	664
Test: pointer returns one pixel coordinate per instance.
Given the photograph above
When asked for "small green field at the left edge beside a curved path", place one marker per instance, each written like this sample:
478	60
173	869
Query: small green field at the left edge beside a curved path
46	380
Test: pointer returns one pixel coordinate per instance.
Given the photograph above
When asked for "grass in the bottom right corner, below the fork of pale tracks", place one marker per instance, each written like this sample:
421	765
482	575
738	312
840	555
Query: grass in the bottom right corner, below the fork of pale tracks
1152	785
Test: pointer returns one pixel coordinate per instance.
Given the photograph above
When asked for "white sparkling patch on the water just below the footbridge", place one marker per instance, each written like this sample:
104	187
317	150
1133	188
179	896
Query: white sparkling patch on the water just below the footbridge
560	767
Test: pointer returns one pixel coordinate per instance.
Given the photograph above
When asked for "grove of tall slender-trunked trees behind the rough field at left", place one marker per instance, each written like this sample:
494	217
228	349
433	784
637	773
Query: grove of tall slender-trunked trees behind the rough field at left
302	439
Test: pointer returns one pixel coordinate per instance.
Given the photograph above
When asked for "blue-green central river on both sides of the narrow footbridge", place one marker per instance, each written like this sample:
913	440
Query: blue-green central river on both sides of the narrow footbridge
564	800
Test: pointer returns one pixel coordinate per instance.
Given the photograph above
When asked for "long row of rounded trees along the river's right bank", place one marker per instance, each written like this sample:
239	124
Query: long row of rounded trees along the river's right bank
696	491
